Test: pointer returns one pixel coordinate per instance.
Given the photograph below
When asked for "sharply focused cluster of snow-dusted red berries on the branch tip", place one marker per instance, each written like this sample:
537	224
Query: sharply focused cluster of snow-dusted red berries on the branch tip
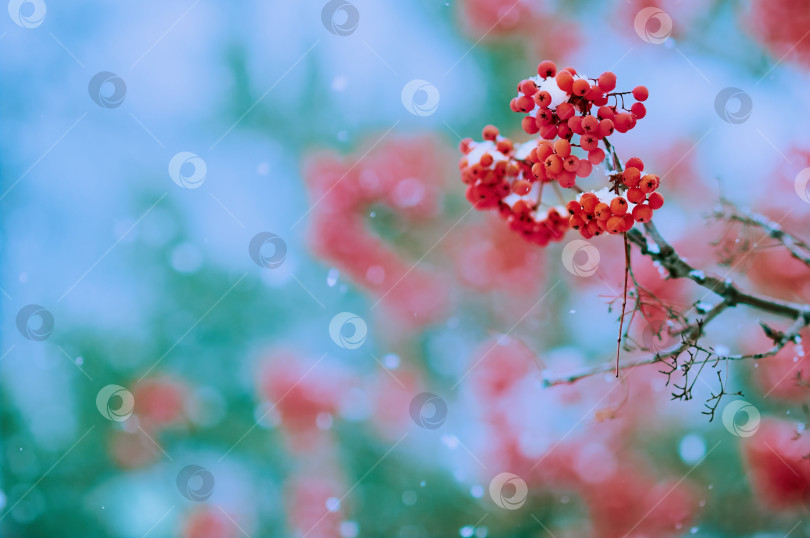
510	177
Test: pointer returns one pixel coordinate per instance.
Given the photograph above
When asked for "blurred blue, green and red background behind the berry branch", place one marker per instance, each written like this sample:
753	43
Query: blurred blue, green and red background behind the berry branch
243	293
